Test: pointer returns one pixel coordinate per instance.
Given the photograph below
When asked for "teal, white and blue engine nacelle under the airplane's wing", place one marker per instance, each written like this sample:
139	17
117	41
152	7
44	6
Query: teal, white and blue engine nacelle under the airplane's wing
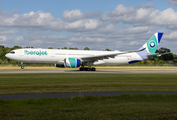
72	62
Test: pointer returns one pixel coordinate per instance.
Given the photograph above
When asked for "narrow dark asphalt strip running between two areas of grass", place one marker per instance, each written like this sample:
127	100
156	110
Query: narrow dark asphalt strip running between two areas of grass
66	95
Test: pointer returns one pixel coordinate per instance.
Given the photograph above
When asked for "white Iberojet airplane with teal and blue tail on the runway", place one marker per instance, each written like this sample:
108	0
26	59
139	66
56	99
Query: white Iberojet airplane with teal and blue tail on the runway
82	58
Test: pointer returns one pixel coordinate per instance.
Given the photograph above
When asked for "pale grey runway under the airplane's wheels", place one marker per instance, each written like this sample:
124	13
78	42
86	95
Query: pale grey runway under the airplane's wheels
97	71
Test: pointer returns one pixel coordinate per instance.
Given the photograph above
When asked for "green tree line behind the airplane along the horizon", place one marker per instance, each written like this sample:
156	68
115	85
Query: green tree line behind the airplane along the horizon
165	59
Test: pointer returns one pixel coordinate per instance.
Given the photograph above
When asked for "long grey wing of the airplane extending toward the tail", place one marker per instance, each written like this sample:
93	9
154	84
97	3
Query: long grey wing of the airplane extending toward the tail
105	56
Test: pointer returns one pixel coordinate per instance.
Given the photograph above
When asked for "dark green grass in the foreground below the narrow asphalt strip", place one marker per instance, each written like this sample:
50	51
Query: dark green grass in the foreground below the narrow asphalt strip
137	106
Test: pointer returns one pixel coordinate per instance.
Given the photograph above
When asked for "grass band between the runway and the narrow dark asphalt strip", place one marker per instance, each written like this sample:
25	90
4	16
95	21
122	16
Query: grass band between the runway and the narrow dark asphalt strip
55	83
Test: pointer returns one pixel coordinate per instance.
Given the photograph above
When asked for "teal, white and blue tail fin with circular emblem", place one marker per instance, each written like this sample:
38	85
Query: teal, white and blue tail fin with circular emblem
151	45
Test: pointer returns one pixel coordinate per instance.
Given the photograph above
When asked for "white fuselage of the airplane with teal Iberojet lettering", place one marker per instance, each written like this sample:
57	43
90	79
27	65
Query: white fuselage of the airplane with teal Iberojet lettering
57	56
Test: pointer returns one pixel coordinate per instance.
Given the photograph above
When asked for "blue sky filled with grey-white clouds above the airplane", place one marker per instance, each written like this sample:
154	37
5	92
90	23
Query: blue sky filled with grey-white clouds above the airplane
97	24
